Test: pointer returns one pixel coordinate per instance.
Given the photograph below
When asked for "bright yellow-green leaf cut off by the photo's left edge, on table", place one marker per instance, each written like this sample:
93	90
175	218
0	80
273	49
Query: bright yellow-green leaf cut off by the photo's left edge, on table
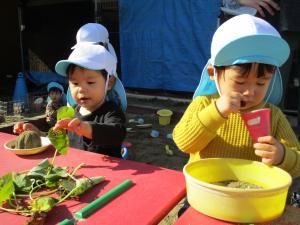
6	187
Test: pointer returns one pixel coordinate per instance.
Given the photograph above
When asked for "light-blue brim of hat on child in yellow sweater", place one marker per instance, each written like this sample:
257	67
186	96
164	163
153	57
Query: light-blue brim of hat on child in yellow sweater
253	48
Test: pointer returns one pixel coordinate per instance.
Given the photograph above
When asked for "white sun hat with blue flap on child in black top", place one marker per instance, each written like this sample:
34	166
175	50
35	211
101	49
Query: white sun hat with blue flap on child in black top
95	57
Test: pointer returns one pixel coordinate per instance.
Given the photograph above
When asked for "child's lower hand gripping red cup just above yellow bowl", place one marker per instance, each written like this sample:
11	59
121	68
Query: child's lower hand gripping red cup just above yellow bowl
270	150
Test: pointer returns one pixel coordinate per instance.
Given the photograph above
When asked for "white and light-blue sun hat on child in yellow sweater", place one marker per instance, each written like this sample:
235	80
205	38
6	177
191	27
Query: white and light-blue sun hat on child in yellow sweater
246	39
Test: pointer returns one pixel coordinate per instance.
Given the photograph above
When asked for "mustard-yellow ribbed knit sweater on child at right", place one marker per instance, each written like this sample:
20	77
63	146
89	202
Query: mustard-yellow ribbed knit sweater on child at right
204	133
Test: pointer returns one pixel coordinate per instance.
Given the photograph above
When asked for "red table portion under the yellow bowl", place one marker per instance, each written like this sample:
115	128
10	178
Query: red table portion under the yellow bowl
291	216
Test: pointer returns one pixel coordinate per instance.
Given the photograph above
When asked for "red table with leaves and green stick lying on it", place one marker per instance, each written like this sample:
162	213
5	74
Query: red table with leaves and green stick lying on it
155	192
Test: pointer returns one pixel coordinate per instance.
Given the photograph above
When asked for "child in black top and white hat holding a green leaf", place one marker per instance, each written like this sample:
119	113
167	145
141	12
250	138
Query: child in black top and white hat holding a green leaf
99	124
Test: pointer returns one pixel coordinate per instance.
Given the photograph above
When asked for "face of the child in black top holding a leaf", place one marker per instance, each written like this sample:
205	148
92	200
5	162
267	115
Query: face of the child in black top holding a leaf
87	88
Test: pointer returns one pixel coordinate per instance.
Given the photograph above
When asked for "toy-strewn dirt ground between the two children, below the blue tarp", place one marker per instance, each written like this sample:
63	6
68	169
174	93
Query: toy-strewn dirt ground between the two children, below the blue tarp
148	149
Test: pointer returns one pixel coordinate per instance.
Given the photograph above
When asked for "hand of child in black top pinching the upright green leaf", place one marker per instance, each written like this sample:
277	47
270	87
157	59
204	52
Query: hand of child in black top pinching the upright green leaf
81	128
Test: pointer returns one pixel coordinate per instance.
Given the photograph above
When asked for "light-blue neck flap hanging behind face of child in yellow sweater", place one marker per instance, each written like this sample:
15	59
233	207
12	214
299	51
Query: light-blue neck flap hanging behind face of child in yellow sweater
207	86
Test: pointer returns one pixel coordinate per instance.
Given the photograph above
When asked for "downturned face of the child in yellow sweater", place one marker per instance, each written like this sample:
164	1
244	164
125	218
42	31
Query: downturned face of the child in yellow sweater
252	85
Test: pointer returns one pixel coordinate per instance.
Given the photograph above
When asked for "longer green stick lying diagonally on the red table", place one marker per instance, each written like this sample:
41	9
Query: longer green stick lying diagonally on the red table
101	201
